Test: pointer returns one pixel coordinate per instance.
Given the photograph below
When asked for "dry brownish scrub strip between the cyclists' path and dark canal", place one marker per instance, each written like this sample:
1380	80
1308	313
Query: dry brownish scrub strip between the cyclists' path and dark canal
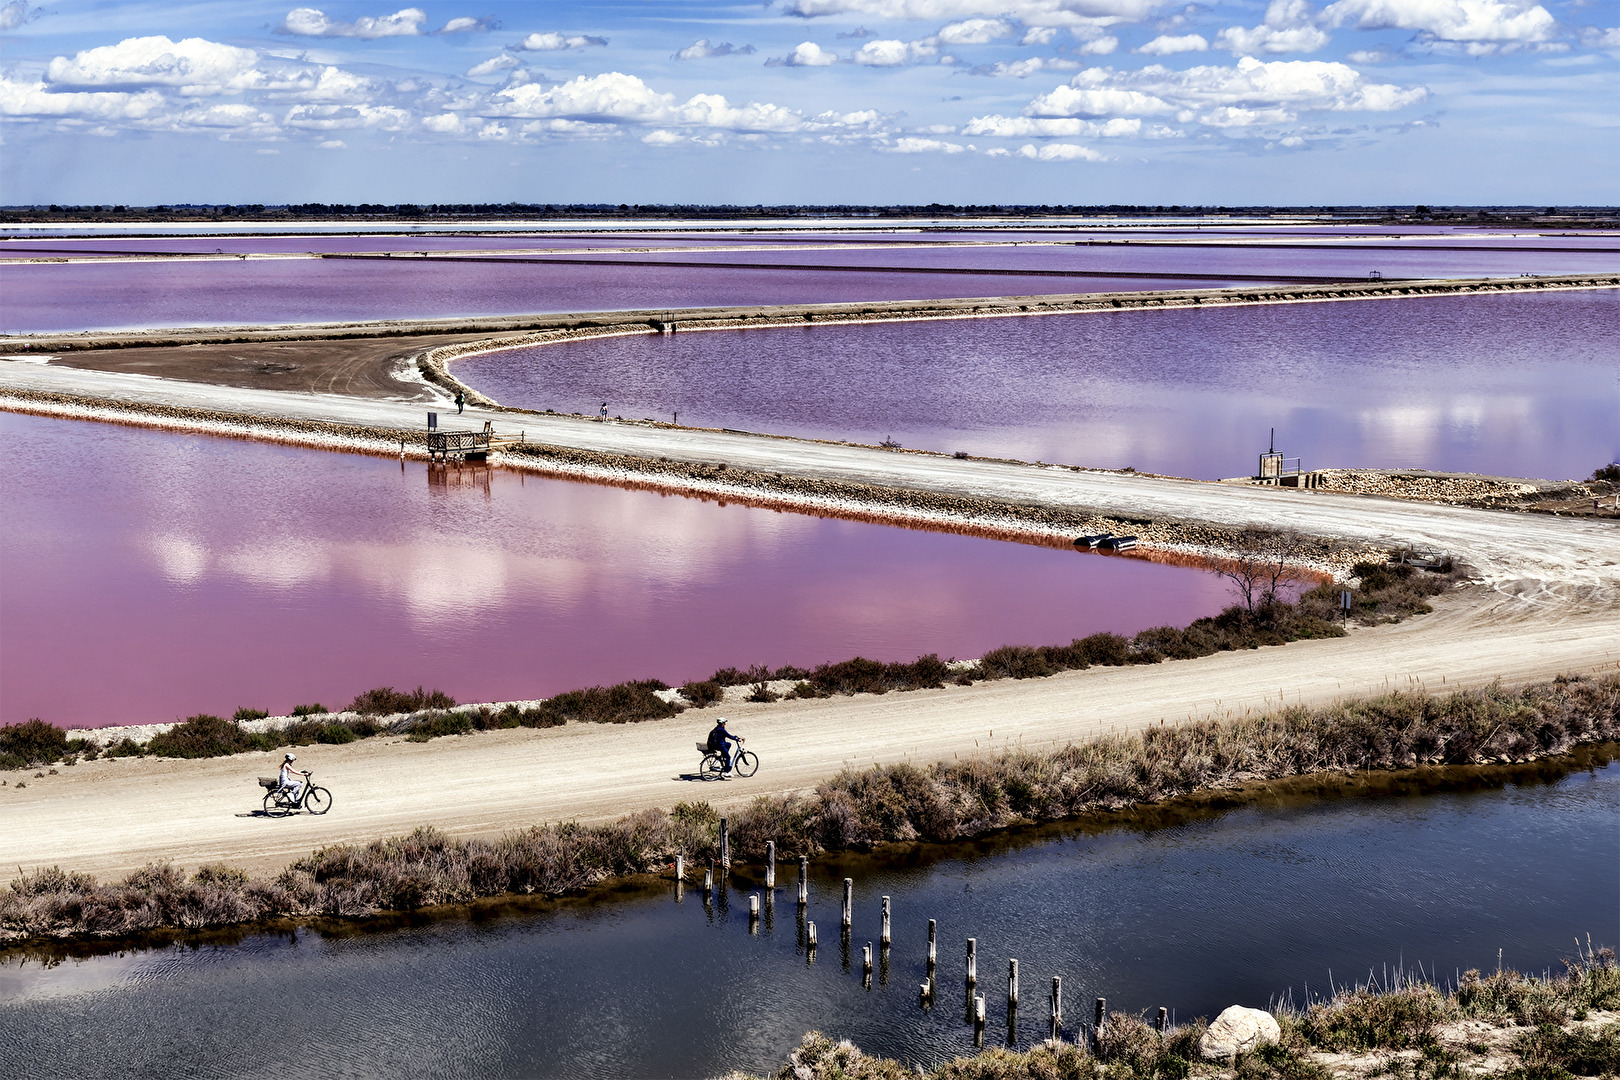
858	809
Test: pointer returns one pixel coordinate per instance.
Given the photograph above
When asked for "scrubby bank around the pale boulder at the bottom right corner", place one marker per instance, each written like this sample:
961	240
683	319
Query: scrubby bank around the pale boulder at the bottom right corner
1535	1029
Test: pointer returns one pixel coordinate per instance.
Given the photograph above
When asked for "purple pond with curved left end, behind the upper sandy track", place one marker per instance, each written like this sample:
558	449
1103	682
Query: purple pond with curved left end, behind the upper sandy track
1507	385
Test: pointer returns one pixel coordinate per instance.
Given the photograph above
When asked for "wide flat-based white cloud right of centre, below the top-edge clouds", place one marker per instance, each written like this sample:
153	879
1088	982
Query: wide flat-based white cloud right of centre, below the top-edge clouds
1251	93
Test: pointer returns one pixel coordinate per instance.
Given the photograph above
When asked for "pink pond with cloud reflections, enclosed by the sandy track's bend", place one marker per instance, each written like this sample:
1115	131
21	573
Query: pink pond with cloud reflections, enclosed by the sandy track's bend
153	576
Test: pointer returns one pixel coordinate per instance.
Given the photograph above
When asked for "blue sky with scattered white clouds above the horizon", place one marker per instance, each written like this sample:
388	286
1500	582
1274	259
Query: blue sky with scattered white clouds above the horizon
814	101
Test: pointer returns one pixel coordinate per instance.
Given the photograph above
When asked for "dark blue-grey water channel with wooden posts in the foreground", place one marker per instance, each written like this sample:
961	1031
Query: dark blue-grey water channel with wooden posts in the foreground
1217	909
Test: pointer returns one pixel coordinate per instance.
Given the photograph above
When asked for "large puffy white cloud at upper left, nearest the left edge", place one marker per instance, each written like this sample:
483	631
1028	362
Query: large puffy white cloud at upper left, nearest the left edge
195	67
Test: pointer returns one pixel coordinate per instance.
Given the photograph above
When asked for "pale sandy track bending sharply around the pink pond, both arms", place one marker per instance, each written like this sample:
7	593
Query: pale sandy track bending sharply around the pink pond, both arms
1551	605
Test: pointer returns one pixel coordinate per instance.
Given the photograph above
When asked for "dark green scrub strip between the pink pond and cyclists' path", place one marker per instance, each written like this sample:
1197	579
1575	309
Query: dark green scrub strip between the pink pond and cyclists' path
1386	593
